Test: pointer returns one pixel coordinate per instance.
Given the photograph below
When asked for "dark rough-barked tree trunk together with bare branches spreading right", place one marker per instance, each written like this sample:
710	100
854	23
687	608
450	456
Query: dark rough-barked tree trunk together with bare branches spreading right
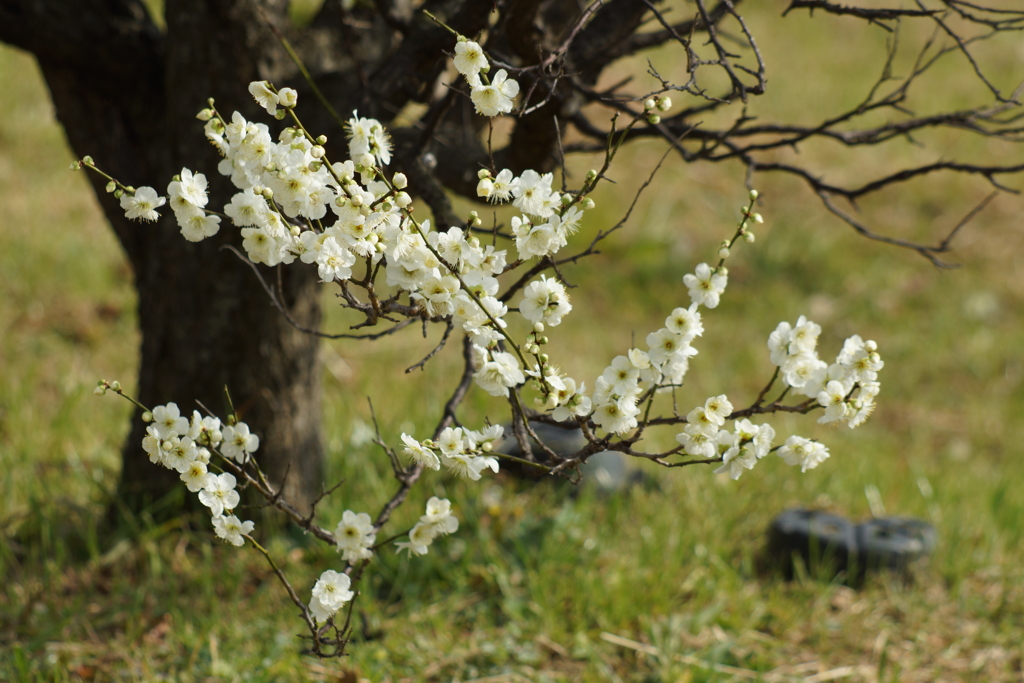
127	95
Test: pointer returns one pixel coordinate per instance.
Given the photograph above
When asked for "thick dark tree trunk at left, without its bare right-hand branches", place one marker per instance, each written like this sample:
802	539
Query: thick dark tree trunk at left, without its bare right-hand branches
129	97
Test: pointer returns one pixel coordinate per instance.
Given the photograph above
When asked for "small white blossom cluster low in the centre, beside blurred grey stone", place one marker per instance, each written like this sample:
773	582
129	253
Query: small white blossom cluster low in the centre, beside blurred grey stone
462	451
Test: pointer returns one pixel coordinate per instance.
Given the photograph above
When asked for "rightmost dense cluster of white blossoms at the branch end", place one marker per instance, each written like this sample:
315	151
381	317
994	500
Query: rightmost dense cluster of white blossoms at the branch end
846	389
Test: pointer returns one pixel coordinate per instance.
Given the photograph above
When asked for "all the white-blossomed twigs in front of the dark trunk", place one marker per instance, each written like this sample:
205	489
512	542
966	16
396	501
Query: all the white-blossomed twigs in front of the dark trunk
294	205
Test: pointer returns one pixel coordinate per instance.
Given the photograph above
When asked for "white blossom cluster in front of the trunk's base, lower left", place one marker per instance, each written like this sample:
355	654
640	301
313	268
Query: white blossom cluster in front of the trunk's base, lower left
185	446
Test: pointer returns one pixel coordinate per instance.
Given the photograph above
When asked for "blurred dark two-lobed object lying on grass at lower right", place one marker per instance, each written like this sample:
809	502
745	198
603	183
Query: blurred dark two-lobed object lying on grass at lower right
830	546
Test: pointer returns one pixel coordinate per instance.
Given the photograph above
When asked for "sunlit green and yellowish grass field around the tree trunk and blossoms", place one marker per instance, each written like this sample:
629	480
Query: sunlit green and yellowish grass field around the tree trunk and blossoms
660	584
